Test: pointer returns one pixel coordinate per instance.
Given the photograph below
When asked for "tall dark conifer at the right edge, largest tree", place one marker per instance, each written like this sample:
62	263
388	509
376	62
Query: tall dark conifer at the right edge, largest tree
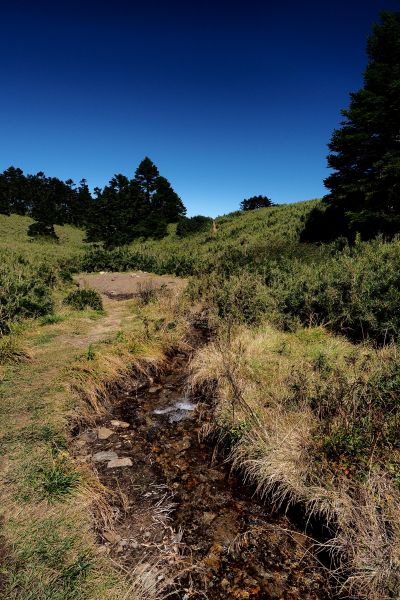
364	188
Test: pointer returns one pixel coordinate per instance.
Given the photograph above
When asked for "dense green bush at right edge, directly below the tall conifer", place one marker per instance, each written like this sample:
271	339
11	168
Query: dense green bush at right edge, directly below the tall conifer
355	291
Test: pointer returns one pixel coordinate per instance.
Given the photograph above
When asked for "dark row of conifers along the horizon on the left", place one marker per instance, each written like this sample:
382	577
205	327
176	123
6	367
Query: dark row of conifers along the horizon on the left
117	214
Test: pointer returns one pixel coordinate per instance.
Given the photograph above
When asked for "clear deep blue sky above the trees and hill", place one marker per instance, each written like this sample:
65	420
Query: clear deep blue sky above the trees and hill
228	99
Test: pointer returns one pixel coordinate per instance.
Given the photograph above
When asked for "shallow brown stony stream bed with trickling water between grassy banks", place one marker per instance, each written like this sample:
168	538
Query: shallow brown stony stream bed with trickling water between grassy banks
178	504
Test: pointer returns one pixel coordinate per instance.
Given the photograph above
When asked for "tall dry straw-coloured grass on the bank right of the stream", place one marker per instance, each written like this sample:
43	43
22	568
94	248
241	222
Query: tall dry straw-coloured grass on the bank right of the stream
278	397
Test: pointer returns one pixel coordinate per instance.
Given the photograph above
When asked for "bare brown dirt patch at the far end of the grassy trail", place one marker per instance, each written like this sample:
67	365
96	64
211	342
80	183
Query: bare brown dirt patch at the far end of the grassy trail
122	286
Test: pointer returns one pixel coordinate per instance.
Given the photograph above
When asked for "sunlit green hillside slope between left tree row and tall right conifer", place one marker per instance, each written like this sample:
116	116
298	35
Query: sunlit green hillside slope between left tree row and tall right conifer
249	239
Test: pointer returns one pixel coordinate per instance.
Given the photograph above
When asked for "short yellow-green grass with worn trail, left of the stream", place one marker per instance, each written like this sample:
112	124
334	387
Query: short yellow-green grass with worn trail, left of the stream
49	503
